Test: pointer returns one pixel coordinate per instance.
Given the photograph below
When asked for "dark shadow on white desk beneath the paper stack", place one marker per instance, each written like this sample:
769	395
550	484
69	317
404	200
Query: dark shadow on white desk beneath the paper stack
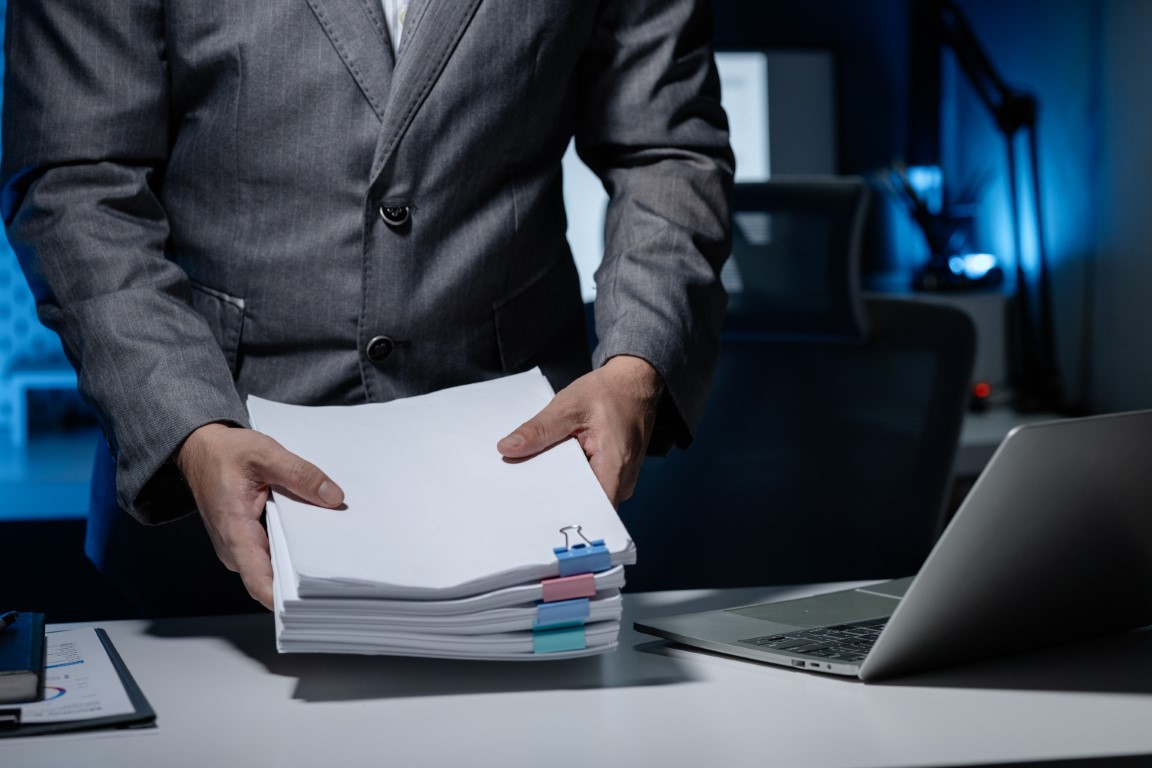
337	678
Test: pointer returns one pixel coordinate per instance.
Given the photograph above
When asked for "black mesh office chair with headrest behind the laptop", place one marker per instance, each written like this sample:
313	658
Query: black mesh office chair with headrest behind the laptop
827	450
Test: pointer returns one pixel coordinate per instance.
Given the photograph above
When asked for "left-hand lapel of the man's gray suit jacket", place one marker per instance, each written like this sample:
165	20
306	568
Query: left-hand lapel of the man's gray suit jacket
359	32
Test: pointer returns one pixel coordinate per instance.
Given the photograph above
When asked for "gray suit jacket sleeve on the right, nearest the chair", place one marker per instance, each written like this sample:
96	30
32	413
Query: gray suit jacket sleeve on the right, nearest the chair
653	128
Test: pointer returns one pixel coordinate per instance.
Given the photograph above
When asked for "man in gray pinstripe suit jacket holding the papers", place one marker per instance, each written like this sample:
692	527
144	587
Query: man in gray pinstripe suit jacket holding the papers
344	202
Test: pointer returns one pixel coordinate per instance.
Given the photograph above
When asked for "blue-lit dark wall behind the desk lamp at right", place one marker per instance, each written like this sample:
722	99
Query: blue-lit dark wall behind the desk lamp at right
1085	62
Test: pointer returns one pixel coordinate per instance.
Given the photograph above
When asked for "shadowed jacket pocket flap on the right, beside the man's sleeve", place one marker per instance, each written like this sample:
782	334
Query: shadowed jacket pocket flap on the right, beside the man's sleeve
533	318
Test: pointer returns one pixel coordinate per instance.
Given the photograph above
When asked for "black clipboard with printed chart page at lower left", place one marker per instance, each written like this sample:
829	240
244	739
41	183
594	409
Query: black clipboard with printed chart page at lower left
87	687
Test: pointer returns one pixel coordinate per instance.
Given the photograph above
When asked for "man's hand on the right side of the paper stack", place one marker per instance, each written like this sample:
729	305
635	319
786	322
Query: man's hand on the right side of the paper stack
610	412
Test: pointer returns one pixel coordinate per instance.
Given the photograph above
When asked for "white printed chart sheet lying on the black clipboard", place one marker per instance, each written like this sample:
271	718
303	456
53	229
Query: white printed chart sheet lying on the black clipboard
80	682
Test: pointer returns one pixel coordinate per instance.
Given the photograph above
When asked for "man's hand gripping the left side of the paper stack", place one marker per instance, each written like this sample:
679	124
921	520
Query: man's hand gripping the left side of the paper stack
231	473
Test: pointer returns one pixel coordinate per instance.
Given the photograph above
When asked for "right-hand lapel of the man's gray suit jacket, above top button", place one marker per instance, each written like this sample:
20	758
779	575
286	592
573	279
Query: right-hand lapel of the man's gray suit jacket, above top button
431	33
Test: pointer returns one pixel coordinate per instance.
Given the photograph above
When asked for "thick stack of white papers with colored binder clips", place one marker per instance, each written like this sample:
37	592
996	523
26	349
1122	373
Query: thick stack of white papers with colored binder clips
444	549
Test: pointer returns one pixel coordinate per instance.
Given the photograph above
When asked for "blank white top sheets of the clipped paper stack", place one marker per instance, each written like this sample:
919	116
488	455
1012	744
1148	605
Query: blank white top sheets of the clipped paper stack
433	511
